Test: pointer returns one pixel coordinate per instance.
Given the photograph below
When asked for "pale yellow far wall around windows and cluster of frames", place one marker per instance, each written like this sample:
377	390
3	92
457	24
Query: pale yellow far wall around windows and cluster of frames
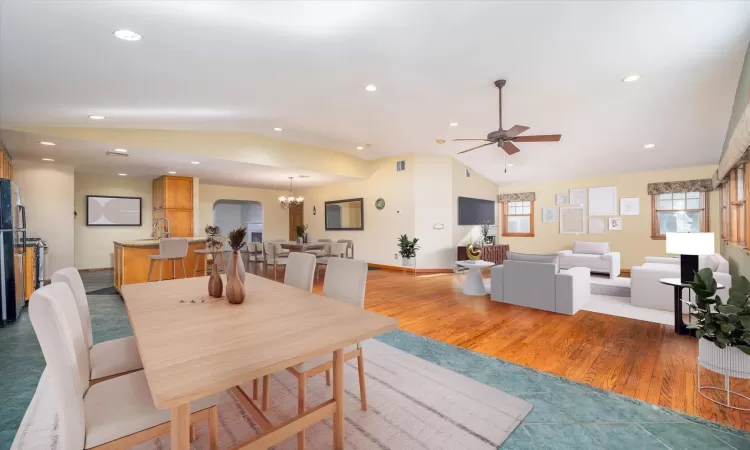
634	241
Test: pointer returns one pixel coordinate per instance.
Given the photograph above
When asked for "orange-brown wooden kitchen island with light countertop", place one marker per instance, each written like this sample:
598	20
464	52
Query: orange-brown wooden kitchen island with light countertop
132	262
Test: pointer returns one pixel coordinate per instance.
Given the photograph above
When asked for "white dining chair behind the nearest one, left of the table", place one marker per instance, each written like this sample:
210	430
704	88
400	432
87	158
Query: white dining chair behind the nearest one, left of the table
109	358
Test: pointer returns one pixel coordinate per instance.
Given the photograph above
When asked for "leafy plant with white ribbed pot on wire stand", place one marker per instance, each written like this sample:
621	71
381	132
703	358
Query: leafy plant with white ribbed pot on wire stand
723	332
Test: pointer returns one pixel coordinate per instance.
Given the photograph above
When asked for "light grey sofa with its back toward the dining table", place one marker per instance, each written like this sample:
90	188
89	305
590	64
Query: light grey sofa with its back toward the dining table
540	285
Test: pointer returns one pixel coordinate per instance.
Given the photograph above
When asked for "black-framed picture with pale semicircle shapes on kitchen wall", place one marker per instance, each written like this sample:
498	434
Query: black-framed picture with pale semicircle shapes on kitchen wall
110	211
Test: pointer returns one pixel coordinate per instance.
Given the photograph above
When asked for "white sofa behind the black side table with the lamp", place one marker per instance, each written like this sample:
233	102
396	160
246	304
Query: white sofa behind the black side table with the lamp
647	292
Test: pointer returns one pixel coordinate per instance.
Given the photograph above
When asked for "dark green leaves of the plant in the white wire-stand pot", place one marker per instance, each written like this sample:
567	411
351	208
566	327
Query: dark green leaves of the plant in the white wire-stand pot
726	324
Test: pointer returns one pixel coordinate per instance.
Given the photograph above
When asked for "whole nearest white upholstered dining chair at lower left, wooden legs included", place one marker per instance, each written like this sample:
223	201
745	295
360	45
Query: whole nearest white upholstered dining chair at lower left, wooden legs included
114	414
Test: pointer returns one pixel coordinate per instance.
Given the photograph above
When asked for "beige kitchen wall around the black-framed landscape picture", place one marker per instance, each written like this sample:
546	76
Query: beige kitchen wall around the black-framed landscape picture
93	245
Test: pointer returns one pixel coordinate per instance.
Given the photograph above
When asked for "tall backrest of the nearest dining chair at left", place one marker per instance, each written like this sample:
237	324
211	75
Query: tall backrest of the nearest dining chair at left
50	310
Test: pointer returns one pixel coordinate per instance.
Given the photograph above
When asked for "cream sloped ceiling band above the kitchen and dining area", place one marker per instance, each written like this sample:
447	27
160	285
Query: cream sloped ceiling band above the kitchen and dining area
91	157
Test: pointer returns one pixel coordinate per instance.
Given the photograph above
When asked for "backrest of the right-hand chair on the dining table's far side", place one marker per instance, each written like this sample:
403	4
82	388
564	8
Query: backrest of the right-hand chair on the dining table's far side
345	281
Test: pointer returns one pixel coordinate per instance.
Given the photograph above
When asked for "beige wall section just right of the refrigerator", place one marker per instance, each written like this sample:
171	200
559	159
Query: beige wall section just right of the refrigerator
47	191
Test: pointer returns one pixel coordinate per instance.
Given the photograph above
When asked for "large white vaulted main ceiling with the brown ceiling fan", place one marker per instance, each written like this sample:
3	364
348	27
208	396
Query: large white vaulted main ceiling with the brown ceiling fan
252	66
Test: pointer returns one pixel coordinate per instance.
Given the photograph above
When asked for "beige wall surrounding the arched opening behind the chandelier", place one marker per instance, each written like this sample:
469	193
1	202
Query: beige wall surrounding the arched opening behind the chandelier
275	219
